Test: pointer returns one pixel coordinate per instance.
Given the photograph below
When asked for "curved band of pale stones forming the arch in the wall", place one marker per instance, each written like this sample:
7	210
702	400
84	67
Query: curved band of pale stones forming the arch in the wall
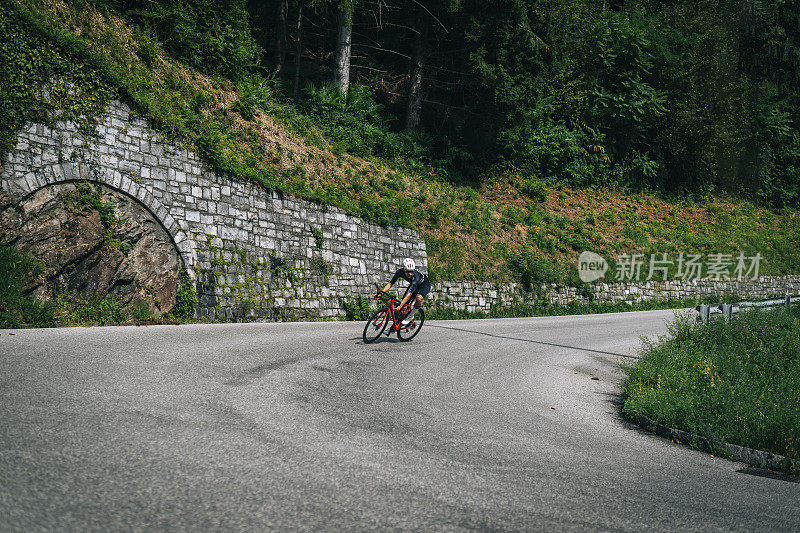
21	186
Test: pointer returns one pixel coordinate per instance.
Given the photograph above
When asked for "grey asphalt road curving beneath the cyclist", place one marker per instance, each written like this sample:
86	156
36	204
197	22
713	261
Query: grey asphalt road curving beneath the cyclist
491	424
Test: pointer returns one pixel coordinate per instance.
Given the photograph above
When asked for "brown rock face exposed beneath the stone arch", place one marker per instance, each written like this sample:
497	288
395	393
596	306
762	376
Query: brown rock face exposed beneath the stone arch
124	253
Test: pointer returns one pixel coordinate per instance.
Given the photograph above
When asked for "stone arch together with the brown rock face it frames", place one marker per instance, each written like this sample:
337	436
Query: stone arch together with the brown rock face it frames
137	256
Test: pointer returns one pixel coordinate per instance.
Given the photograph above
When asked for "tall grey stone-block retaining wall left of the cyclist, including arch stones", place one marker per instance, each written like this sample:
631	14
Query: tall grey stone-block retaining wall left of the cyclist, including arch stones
253	253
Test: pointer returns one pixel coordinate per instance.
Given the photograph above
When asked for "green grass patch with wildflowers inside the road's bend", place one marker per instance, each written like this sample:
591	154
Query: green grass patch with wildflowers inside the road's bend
733	383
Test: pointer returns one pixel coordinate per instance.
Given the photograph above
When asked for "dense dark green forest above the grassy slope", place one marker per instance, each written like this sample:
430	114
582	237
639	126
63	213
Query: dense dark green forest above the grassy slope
668	96
